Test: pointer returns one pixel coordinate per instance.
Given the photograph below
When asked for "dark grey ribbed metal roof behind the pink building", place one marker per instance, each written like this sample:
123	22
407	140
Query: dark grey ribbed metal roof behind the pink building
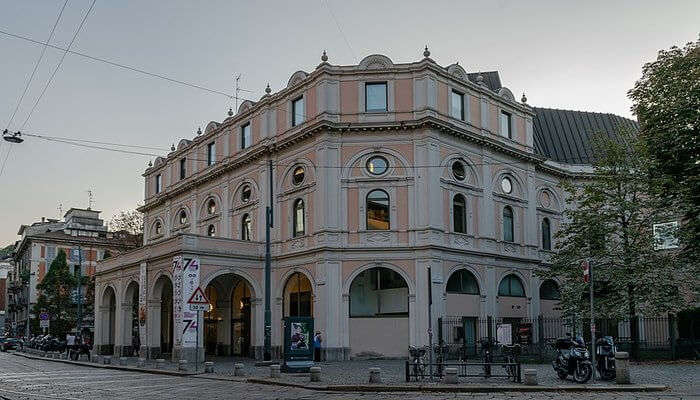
565	135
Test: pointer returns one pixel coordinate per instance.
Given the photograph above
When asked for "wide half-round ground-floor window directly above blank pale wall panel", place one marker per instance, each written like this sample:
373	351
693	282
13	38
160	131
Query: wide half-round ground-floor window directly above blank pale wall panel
378	292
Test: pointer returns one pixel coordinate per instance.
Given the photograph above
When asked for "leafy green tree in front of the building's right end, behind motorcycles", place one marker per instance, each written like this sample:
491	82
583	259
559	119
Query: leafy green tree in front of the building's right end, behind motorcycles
609	220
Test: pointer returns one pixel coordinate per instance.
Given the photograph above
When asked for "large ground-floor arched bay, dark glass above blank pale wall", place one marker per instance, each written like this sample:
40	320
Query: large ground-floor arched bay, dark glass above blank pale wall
378	323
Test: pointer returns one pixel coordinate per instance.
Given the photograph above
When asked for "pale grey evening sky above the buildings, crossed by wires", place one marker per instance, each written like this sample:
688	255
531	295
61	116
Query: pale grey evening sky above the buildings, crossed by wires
563	54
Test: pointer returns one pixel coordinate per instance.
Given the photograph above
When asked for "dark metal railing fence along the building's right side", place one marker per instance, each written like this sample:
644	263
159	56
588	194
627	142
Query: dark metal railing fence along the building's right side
657	337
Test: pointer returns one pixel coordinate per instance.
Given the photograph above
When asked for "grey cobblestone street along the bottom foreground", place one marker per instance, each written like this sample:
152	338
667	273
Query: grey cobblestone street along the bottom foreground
22	378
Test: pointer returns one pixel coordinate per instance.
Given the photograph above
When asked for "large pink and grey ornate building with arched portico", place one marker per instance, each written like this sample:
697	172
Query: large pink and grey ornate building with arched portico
379	172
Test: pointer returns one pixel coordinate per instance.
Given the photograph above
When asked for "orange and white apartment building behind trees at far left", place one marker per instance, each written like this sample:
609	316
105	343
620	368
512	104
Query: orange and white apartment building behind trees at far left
40	243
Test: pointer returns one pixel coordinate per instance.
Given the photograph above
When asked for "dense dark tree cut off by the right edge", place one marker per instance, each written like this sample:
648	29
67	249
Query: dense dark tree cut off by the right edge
666	101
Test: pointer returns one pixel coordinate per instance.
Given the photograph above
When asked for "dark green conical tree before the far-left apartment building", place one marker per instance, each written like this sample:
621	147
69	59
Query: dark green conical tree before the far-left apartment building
55	297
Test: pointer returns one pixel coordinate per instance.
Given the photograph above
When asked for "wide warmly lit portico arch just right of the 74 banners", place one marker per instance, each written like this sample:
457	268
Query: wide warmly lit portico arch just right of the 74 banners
228	328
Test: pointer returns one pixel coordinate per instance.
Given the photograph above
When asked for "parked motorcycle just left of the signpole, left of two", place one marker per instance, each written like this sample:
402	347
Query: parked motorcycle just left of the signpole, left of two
572	359
